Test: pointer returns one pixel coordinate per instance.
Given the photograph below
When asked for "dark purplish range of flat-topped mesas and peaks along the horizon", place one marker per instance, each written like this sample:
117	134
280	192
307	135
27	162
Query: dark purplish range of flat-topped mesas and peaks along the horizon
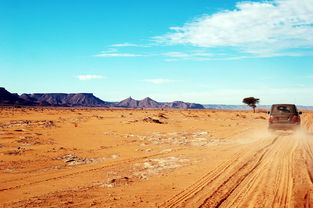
85	100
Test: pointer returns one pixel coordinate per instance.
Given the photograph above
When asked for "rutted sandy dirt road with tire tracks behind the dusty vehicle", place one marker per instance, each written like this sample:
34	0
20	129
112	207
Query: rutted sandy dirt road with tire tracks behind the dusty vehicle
274	172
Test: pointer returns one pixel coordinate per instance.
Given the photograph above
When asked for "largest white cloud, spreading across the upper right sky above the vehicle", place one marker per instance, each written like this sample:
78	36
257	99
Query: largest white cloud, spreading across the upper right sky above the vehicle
254	27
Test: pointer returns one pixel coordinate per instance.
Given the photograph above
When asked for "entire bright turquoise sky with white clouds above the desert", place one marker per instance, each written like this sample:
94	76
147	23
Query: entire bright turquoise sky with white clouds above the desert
205	51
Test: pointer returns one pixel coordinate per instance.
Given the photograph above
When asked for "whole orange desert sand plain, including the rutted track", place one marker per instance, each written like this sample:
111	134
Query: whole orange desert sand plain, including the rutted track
152	158
